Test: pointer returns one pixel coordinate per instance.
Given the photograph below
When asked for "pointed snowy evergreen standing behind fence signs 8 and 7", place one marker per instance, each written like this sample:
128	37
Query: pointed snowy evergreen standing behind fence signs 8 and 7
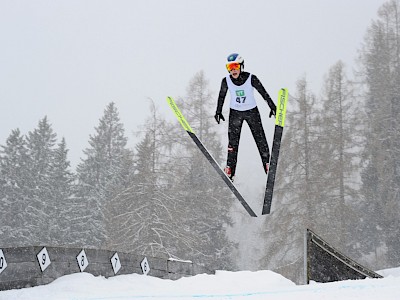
102	174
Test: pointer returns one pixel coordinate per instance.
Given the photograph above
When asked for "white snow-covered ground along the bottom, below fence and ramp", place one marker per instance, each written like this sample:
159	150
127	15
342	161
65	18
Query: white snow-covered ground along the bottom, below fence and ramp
222	285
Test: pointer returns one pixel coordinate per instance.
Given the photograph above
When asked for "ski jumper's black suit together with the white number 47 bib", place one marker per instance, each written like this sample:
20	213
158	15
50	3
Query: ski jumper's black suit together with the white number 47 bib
243	107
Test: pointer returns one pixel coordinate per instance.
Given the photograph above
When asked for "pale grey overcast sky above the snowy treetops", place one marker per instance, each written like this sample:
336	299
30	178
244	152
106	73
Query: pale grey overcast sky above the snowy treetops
68	59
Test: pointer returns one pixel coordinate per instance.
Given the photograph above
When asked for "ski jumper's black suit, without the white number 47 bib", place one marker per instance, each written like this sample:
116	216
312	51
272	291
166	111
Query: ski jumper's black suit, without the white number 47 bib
251	116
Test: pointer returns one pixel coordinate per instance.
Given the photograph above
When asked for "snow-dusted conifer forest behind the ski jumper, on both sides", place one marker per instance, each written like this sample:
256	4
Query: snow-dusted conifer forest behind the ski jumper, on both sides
338	174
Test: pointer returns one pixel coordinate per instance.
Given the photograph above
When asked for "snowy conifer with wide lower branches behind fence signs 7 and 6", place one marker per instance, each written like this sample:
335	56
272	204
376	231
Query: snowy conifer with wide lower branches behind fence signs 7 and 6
143	211
